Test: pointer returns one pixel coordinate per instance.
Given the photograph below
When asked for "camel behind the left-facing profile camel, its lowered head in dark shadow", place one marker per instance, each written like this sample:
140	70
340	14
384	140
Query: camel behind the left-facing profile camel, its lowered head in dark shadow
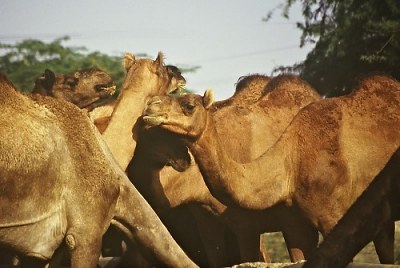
286	95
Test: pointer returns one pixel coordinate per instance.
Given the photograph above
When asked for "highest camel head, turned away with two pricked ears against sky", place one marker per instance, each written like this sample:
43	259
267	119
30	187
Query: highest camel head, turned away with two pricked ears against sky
146	72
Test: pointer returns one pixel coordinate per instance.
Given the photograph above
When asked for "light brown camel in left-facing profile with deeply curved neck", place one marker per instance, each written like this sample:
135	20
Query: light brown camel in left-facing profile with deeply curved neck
321	163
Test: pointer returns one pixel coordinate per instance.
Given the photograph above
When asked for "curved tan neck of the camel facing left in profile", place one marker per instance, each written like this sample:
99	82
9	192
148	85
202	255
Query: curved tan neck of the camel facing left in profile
258	184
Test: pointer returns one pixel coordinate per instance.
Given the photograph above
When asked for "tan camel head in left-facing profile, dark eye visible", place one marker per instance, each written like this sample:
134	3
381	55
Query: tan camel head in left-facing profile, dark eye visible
184	115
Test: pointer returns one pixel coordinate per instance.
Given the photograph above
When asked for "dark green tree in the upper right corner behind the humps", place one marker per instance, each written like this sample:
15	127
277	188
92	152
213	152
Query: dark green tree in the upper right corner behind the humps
351	38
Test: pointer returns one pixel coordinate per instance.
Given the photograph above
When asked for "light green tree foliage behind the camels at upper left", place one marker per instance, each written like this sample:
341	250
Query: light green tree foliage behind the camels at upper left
24	61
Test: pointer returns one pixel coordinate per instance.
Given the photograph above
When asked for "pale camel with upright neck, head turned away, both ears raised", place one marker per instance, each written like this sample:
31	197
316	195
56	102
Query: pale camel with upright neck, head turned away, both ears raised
144	78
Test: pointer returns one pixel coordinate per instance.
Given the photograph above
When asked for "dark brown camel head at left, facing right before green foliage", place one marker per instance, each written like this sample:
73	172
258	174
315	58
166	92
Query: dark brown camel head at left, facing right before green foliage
87	88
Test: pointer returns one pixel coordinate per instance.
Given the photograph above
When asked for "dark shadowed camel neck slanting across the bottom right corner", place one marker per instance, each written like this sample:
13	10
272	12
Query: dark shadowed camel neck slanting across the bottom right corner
377	206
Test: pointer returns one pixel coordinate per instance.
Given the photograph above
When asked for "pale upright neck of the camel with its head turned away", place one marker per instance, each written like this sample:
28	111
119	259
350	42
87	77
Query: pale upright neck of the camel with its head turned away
120	134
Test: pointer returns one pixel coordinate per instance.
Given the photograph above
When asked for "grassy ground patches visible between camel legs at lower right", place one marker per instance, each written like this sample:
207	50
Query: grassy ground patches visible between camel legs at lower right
278	252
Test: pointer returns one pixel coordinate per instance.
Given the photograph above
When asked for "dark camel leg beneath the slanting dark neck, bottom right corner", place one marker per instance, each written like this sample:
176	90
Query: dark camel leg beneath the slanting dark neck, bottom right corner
384	243
